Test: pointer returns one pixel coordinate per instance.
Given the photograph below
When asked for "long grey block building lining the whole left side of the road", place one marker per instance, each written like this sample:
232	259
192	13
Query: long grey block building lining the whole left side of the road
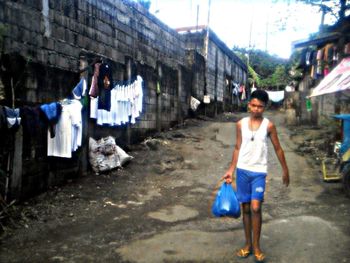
48	46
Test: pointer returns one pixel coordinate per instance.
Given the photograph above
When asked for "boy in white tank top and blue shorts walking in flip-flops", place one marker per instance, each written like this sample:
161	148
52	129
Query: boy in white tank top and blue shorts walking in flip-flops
249	160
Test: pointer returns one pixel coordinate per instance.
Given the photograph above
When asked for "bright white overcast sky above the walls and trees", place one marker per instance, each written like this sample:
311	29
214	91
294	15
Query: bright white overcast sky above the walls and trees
244	23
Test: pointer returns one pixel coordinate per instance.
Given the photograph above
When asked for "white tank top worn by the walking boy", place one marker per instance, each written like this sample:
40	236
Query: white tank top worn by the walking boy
253	152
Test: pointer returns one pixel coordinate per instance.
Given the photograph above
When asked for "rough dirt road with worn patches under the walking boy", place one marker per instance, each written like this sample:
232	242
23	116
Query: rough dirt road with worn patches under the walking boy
157	208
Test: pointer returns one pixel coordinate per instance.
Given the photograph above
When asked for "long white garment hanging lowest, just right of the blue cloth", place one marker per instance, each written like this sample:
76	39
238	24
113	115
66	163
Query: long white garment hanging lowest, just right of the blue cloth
68	131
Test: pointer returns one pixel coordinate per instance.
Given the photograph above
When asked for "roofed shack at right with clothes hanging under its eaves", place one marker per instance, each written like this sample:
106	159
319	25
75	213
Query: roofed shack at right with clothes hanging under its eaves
319	55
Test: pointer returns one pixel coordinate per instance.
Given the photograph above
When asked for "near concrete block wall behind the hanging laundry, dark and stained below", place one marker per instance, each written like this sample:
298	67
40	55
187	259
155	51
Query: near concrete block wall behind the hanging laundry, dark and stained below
50	39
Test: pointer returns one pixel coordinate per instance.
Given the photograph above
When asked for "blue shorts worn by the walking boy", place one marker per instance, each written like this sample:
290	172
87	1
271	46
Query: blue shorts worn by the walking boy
250	185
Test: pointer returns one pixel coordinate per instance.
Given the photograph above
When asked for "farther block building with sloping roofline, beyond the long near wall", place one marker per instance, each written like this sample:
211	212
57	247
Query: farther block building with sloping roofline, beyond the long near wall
222	69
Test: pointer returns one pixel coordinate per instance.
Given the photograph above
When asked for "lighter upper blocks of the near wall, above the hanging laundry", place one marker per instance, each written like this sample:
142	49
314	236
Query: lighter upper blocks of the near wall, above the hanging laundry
112	29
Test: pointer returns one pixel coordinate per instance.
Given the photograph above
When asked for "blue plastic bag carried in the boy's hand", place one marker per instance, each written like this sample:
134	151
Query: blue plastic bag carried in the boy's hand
226	202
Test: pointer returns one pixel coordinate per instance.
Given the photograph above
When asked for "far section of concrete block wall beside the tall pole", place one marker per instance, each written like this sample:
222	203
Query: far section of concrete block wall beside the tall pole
219	64
